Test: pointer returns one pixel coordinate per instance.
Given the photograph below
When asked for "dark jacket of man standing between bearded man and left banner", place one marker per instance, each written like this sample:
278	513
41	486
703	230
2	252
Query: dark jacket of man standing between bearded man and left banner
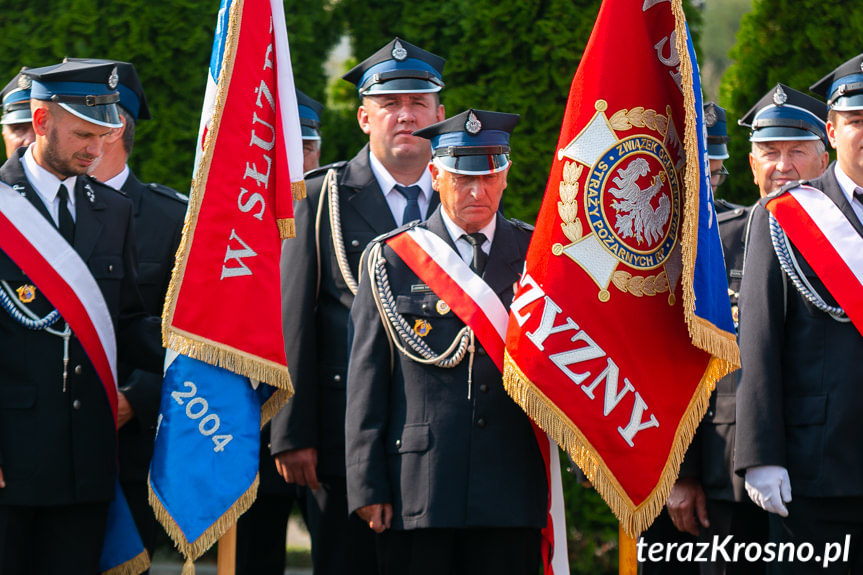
159	214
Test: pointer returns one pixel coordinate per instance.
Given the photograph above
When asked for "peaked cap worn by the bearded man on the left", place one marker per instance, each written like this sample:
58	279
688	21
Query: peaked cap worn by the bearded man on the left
84	88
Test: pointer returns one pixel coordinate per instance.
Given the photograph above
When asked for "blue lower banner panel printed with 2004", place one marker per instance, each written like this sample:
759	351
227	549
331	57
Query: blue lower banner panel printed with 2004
206	454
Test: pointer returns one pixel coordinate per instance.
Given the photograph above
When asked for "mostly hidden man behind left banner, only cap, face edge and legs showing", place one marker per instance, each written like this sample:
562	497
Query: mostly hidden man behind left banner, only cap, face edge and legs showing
262	530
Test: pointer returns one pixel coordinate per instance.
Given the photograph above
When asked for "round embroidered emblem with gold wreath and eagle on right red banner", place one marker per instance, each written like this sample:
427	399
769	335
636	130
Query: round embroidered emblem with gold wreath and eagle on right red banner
627	167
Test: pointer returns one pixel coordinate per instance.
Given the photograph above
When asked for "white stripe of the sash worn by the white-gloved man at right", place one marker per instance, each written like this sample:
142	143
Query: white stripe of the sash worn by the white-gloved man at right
834	225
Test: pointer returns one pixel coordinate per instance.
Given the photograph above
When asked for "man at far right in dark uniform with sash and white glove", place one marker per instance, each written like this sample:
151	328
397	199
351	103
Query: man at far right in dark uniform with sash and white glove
800	408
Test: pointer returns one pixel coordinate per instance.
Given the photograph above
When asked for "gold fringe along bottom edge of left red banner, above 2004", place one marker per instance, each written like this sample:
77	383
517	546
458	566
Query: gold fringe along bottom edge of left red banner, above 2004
232	359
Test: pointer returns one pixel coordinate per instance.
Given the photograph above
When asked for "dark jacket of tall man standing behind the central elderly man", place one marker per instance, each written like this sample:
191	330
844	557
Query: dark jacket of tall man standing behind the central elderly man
316	317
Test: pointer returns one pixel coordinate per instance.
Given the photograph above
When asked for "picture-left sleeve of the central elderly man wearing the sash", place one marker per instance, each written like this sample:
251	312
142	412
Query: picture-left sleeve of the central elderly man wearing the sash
368	386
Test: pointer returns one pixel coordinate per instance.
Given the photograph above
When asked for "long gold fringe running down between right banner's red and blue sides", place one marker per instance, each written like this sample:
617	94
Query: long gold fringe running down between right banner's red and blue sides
704	335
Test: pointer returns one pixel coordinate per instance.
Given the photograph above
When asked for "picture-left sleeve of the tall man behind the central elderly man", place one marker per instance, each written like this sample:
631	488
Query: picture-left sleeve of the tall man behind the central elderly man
295	426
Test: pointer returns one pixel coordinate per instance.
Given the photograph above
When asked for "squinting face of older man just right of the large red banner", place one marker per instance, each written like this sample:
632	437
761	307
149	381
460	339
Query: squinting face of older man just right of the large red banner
777	163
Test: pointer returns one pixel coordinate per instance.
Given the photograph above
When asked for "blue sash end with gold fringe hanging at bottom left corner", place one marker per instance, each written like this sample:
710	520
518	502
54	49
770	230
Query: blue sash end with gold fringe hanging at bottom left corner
122	550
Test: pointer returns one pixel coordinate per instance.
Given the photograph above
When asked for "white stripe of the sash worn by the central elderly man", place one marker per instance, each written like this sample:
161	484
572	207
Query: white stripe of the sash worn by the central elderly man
460	272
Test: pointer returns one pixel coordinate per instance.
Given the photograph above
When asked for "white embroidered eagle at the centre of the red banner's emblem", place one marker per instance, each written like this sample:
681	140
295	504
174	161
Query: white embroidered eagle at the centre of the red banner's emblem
635	214
